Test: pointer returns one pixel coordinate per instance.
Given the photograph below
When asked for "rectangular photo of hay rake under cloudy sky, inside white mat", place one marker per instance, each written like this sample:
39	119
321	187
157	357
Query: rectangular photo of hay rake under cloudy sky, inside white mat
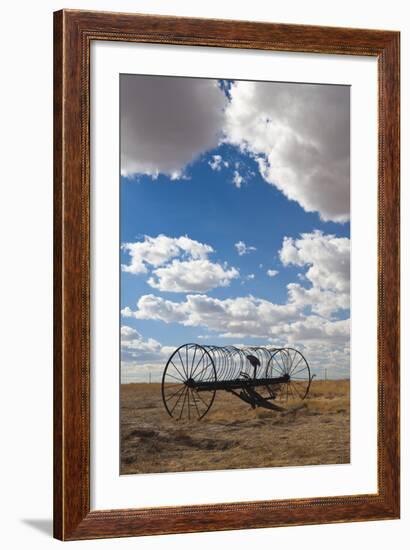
234	275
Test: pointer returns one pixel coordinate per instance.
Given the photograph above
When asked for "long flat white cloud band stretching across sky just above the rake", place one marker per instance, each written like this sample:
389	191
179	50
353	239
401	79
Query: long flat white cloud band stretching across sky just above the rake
250	317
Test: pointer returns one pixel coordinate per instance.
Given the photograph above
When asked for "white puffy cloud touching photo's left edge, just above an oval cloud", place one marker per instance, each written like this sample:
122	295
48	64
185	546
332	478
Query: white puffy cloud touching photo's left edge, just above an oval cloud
157	251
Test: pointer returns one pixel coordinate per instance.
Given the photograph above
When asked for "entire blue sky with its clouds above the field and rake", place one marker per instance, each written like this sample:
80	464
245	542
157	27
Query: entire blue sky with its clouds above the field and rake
260	206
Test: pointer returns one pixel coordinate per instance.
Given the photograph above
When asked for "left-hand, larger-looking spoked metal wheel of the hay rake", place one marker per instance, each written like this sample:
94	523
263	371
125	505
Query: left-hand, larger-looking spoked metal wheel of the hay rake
188	365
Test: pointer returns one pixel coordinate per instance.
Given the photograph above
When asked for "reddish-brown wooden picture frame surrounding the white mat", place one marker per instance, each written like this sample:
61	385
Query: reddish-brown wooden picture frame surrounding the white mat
74	32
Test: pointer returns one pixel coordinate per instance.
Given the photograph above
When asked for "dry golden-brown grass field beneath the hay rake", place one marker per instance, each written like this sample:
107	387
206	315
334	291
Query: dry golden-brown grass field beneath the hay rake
233	435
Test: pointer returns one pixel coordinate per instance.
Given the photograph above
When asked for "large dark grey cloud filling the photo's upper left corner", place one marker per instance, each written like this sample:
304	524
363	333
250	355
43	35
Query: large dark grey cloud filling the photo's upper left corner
166	122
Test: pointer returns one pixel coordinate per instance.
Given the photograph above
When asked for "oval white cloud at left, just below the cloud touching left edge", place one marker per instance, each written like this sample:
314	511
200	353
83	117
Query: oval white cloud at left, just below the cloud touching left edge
192	276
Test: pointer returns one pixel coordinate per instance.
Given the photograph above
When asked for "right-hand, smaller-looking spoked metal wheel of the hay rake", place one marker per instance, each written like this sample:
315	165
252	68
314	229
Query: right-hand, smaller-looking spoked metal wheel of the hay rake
289	362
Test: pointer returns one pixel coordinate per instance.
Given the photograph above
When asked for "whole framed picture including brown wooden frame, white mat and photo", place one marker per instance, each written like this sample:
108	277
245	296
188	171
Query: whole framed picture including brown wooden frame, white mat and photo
202	224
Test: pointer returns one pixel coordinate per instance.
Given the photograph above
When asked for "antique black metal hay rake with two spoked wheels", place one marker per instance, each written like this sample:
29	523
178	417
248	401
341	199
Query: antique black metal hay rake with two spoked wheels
273	378
